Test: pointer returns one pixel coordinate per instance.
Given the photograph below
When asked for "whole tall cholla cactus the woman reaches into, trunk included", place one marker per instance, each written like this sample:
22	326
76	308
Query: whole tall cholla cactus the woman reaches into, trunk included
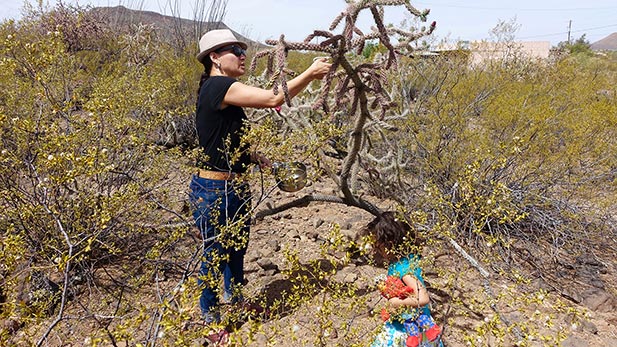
350	94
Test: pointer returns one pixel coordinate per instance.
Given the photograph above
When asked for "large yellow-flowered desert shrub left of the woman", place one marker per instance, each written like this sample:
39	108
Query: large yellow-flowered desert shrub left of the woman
83	181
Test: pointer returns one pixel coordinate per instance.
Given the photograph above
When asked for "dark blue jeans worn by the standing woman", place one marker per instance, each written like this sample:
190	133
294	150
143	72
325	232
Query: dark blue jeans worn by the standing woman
221	210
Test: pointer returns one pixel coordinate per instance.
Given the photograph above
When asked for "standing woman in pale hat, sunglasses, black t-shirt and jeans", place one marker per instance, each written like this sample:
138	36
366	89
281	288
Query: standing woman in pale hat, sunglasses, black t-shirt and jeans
221	200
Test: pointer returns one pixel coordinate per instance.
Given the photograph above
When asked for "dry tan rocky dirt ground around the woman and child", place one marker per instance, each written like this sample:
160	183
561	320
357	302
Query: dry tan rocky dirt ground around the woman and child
585	316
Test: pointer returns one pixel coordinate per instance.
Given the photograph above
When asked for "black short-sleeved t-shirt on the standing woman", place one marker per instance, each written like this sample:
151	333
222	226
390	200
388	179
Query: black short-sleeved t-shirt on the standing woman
219	131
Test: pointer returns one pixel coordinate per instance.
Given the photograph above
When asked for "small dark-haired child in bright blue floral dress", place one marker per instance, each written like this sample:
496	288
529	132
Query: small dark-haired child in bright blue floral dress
393	242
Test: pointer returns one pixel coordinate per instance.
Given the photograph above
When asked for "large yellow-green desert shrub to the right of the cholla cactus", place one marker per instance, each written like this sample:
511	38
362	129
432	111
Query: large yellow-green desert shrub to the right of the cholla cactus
516	135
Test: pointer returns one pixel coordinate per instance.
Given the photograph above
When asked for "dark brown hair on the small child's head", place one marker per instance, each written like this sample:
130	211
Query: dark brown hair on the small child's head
393	232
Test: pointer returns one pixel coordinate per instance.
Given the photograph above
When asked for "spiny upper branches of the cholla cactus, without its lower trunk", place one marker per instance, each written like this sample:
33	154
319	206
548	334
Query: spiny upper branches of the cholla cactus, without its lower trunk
365	77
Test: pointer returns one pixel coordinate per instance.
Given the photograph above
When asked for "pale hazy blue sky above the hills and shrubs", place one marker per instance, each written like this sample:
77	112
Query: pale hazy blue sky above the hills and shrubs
469	20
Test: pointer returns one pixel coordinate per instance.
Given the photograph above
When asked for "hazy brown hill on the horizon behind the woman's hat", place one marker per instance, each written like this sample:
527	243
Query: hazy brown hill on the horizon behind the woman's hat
171	27
